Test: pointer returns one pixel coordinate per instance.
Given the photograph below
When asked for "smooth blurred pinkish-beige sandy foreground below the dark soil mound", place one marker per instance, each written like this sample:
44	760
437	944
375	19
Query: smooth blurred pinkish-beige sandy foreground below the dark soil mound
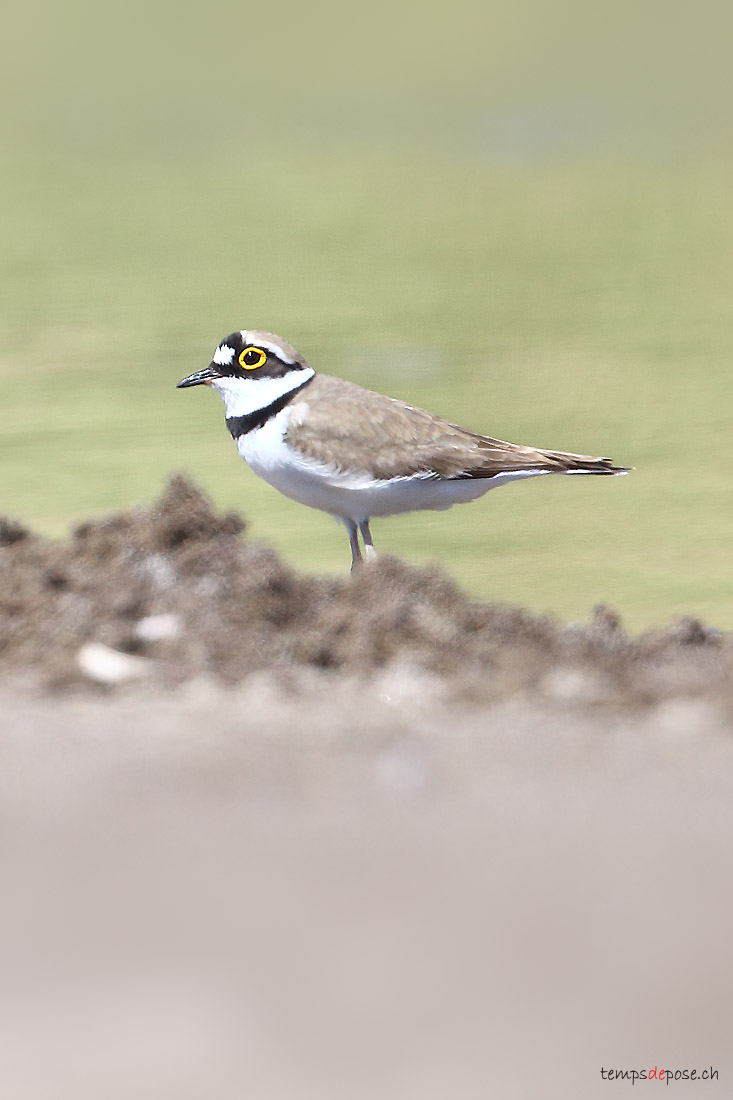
222	893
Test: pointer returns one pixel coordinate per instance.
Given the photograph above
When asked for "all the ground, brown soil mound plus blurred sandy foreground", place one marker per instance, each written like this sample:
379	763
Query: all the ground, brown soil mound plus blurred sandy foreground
327	850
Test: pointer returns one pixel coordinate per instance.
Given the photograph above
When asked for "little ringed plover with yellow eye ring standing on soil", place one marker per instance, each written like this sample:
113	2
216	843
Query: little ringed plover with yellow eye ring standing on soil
353	453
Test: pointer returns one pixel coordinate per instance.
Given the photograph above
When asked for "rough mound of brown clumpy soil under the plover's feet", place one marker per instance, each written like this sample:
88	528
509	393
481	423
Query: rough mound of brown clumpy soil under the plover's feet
178	586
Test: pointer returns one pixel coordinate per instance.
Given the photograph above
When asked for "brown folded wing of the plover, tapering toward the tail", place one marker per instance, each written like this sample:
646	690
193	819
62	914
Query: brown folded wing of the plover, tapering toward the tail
348	427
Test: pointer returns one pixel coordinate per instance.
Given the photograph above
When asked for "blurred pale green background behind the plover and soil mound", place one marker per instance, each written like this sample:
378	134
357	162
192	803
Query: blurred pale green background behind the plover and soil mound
518	215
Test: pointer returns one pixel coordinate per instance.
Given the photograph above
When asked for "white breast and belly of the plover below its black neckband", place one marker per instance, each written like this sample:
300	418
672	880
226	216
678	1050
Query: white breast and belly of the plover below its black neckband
355	497
